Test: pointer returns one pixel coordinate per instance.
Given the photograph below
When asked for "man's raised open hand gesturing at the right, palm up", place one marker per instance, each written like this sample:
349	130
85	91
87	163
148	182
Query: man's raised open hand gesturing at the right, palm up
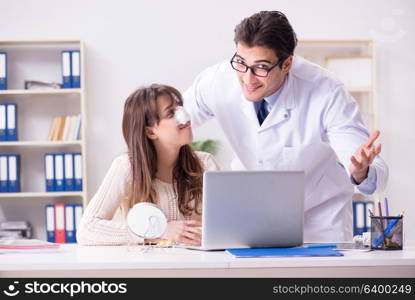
363	157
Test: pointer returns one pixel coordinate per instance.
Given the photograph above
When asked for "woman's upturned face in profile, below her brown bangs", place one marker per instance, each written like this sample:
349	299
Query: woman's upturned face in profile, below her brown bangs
168	132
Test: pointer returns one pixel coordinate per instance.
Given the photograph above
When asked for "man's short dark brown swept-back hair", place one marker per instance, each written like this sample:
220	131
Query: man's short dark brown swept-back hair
269	29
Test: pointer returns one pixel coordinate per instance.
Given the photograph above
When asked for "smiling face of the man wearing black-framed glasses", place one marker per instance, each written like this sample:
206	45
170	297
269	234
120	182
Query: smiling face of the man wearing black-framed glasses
256	88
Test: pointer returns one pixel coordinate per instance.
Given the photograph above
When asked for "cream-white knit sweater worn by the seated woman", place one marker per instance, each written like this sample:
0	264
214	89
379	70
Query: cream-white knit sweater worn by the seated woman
104	219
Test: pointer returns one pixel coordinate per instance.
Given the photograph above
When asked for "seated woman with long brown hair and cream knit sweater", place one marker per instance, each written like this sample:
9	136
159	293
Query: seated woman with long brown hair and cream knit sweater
160	167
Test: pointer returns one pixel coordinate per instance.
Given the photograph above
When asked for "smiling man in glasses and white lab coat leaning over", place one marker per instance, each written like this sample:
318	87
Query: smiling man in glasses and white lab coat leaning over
282	112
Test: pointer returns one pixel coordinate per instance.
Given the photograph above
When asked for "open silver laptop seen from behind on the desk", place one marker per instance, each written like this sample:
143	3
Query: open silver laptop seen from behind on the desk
252	209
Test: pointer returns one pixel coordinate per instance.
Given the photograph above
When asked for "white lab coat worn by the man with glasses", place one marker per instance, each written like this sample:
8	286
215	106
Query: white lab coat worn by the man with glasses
314	126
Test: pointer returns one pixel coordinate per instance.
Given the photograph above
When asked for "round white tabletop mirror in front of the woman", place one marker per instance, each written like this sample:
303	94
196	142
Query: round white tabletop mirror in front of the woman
146	220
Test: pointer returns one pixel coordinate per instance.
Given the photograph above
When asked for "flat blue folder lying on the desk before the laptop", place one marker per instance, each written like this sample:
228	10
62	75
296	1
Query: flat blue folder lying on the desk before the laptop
282	252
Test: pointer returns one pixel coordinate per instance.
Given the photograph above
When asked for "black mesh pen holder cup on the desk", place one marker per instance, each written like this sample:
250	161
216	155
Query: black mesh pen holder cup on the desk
386	233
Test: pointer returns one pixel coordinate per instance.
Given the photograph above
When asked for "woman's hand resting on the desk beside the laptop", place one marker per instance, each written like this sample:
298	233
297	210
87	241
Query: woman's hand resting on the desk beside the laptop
185	232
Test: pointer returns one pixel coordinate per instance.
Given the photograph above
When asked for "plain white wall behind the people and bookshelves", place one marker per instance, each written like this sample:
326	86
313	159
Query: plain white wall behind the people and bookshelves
133	43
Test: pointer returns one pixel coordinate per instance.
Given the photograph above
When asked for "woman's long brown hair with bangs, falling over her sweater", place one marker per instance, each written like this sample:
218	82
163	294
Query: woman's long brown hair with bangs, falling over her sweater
140	111
